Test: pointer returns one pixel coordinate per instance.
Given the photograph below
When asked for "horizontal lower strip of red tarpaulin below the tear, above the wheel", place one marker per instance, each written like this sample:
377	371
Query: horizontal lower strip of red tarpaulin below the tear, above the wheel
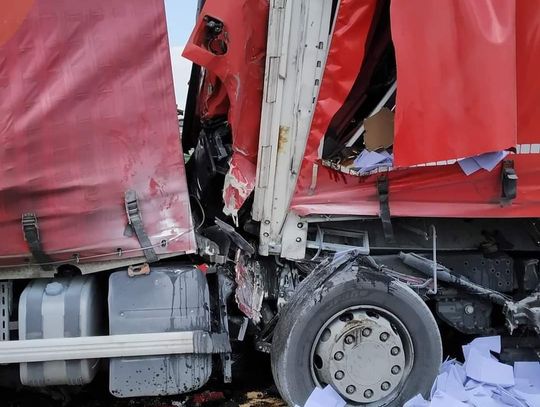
438	191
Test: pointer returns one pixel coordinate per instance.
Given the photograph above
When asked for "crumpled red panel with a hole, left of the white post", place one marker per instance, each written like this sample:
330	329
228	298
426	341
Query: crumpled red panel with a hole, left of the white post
241	69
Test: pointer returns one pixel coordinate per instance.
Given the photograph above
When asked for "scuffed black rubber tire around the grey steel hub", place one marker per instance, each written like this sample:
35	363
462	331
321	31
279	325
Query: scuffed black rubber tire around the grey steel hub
319	300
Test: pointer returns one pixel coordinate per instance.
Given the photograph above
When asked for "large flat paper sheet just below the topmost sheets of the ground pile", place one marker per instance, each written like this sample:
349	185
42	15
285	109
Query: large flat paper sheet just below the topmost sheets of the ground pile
485	369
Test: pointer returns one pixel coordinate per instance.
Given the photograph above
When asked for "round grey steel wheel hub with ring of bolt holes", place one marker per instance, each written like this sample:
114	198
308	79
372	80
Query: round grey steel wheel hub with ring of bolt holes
362	355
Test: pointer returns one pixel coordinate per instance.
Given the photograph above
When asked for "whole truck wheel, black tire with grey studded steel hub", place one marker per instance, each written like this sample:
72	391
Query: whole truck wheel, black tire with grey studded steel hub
371	337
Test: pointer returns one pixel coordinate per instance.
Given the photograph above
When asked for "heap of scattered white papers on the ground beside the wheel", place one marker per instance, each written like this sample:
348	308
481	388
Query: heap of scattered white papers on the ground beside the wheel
483	381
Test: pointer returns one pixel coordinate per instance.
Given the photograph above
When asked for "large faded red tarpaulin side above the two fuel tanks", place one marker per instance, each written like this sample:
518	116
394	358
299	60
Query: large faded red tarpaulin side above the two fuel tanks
87	112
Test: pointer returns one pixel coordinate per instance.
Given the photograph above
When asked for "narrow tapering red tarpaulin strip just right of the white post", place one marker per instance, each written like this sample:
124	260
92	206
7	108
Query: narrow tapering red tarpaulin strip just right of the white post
343	65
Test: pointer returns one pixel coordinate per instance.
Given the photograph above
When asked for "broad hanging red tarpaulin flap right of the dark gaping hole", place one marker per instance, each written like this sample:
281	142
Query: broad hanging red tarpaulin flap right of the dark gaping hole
456	62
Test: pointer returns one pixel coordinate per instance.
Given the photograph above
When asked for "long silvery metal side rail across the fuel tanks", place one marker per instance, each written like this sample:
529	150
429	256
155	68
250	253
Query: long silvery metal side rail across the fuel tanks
113	346
